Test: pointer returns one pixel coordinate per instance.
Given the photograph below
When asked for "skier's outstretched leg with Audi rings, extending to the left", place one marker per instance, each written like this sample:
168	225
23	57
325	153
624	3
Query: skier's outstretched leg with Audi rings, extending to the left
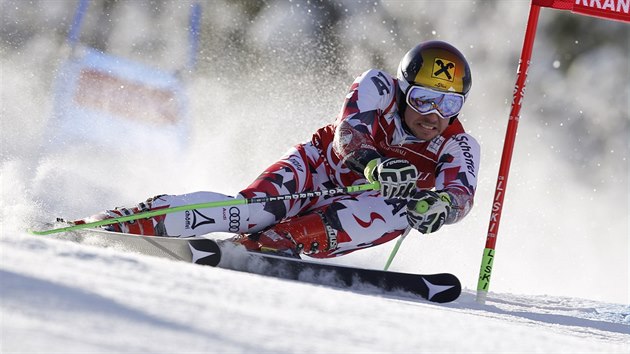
290	174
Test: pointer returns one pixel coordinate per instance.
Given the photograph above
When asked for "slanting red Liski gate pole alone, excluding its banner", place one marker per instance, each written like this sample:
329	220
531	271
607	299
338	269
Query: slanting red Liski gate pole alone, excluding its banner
506	158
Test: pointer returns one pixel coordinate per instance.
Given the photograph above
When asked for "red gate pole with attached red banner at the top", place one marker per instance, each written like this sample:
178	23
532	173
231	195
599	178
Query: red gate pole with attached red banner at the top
618	10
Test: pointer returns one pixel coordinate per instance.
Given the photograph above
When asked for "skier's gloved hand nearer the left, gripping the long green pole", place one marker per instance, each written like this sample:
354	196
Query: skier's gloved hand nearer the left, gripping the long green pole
397	177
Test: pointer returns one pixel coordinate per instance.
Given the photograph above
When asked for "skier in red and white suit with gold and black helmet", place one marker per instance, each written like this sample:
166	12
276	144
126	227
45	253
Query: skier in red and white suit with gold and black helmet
403	132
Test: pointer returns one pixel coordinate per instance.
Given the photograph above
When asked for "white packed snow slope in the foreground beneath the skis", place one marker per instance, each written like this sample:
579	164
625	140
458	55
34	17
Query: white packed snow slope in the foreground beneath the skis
59	296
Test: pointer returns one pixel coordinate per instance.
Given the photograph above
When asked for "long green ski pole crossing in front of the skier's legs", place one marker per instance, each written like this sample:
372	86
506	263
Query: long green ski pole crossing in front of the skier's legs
215	204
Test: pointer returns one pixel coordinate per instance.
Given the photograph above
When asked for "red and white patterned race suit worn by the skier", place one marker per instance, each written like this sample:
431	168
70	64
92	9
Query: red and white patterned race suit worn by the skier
369	122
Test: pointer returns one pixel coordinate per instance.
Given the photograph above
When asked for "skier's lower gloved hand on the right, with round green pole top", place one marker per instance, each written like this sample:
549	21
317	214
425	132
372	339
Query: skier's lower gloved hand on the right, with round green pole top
427	210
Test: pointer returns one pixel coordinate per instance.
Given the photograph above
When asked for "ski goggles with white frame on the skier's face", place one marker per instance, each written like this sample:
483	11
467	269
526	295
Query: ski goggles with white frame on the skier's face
424	101
